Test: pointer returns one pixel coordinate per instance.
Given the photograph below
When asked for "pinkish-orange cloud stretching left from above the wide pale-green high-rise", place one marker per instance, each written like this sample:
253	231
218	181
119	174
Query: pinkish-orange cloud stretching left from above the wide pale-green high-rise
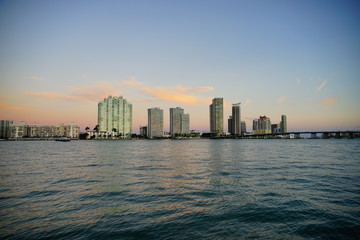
92	93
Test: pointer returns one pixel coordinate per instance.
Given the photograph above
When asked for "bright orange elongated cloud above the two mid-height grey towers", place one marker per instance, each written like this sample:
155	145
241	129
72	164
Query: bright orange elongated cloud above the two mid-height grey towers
179	94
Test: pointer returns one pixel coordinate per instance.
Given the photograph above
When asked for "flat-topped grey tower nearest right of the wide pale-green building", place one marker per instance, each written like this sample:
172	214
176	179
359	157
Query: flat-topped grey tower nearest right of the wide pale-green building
155	123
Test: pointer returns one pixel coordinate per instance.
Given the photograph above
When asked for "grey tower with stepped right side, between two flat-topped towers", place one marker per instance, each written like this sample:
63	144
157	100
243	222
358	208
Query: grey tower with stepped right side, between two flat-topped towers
179	122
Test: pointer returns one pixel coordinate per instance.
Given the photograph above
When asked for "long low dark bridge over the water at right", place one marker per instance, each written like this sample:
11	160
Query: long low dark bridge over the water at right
298	135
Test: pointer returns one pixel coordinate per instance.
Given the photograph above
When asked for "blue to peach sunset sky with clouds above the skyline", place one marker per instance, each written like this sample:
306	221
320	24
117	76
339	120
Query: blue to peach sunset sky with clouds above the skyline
58	59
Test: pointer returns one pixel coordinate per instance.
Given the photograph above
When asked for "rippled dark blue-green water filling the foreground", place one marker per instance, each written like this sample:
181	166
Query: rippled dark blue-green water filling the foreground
197	189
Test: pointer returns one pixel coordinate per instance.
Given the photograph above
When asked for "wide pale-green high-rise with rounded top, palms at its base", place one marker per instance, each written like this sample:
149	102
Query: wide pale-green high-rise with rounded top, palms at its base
115	116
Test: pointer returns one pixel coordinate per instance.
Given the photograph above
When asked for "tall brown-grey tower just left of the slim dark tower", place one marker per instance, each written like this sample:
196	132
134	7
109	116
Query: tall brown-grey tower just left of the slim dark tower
216	116
